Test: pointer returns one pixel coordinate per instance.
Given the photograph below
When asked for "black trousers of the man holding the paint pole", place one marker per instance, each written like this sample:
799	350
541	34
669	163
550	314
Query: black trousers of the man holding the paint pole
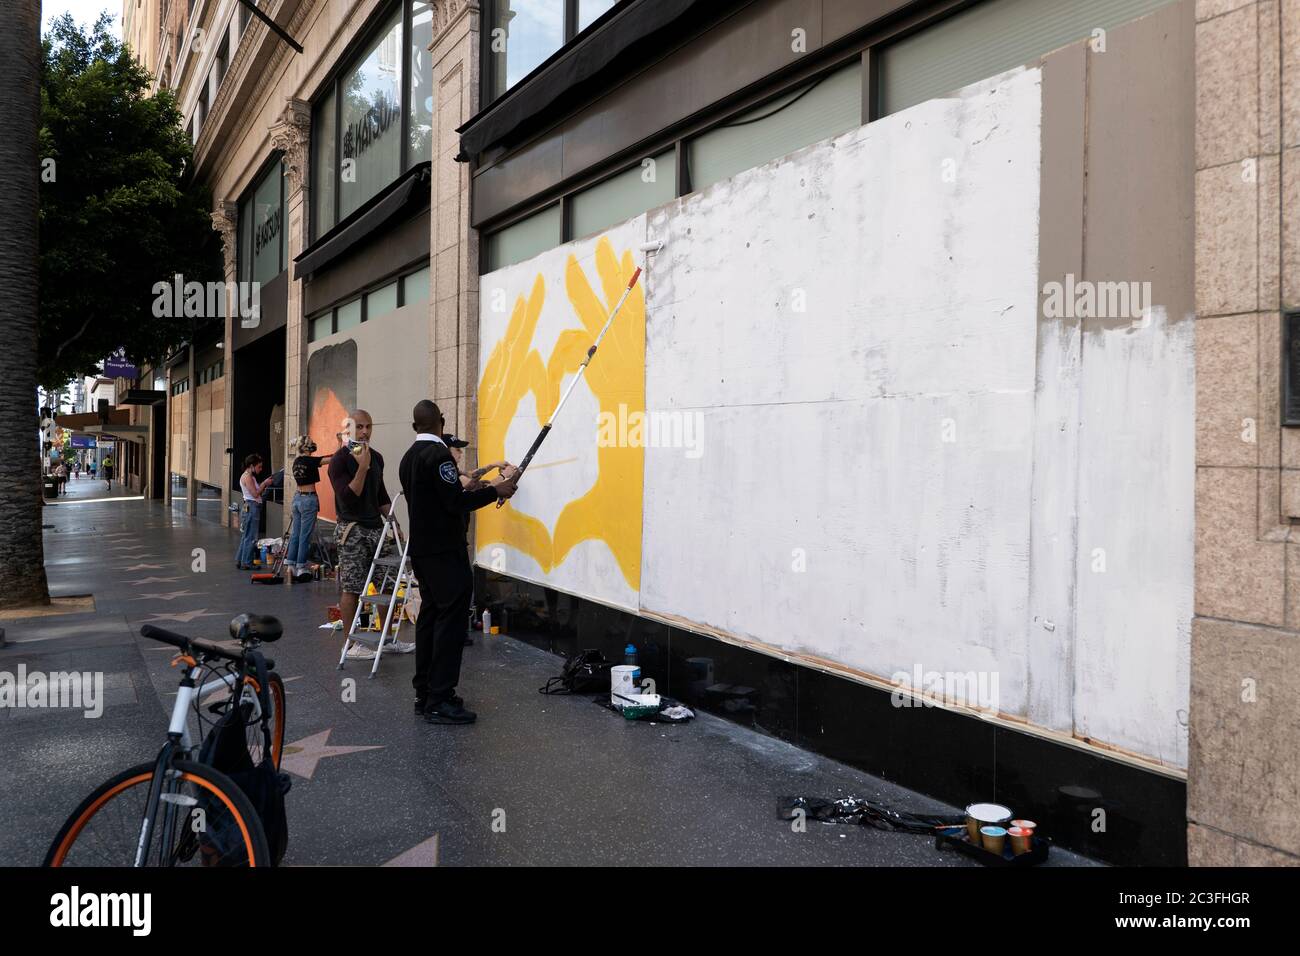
447	590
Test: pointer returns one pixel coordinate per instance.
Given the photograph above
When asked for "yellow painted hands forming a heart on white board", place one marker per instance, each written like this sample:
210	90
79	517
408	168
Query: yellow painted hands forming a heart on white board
610	511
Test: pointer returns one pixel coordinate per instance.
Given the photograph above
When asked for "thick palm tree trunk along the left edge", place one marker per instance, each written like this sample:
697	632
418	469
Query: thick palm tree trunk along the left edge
23	561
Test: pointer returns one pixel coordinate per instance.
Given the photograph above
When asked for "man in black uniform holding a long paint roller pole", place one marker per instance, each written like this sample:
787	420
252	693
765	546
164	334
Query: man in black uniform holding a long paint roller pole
439	505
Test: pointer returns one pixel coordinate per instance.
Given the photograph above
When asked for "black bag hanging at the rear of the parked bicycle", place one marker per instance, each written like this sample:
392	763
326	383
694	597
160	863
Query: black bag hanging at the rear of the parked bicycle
227	750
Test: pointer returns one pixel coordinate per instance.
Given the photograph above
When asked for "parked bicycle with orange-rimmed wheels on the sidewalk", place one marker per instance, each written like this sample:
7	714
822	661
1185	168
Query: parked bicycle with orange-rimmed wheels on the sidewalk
206	819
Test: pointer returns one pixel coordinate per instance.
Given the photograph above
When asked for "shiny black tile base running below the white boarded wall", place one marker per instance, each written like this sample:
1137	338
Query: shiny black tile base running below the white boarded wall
1103	808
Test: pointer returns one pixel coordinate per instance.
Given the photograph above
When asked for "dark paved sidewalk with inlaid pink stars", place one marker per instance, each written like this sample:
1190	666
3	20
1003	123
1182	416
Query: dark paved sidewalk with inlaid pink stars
571	782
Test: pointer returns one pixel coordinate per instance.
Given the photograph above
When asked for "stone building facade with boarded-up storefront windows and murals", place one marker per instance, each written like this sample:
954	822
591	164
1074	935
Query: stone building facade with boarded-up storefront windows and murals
937	435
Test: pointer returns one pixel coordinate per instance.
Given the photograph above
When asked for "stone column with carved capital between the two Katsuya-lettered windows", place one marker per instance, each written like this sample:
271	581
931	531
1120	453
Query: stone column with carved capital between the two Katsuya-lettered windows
292	136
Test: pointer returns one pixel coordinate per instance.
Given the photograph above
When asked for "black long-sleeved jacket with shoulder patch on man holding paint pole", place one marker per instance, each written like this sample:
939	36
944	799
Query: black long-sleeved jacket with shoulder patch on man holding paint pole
439	505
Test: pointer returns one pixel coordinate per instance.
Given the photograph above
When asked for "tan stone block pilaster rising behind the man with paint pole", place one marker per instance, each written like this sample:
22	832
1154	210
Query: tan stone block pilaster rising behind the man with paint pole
454	258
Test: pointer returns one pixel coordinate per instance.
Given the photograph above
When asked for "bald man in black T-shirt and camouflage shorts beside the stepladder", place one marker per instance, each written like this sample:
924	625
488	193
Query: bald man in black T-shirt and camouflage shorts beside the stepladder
362	501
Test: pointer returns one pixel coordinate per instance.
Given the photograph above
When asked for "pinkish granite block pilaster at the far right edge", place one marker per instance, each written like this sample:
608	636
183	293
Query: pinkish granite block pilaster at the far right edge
1243	794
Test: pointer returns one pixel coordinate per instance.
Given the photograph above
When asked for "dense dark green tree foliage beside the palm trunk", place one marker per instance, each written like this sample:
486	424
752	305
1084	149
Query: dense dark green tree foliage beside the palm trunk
119	211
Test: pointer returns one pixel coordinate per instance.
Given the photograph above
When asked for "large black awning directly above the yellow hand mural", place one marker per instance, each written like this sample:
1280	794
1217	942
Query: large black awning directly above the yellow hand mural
631	36
